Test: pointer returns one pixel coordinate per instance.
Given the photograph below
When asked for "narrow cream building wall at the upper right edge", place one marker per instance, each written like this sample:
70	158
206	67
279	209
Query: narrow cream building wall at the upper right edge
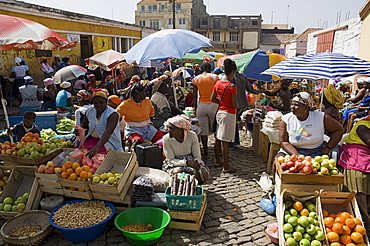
364	51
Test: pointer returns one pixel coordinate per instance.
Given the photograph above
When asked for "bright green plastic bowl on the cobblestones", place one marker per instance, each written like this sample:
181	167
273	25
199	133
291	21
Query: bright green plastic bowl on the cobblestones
143	215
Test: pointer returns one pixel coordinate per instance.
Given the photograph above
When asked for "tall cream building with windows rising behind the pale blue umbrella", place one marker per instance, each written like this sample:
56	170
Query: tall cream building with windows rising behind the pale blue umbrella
158	14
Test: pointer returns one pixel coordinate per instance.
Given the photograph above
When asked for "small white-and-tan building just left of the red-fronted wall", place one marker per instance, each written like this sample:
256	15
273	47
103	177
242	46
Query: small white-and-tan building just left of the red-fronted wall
297	45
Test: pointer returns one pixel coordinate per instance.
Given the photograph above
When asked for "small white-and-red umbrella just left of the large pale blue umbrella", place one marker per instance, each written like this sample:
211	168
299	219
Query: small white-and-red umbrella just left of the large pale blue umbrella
106	59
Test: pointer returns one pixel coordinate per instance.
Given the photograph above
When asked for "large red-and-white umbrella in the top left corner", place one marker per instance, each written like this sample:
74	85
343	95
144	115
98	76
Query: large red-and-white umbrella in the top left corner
22	34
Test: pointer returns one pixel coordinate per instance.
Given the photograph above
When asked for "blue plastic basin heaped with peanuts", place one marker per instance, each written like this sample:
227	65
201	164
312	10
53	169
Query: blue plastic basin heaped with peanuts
81	220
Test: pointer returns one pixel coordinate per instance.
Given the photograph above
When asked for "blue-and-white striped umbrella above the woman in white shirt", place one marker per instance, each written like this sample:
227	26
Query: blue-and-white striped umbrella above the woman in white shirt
320	66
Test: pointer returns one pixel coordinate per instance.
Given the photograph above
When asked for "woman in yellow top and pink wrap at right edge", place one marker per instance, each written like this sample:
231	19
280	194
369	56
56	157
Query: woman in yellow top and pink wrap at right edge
355	159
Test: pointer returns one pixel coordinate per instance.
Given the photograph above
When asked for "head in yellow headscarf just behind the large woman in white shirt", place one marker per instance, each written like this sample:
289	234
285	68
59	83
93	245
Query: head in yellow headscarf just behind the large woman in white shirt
333	102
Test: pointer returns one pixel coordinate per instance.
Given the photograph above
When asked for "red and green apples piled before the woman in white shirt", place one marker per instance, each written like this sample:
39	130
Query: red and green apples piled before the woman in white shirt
306	164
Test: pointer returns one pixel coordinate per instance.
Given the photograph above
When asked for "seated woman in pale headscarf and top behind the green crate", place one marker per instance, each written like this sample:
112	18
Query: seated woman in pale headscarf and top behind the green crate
182	150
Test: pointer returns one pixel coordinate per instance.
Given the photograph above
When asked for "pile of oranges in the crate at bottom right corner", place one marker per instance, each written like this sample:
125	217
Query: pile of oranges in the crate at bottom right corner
344	229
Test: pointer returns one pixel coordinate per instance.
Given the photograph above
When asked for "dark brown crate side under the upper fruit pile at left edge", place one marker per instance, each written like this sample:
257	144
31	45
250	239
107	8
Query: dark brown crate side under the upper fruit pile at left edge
10	160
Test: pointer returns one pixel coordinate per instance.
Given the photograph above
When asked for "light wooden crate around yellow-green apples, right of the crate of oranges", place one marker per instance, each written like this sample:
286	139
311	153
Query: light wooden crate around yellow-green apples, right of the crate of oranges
127	166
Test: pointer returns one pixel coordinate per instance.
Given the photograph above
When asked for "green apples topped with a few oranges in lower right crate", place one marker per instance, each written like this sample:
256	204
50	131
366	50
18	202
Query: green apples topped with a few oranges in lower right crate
301	225
